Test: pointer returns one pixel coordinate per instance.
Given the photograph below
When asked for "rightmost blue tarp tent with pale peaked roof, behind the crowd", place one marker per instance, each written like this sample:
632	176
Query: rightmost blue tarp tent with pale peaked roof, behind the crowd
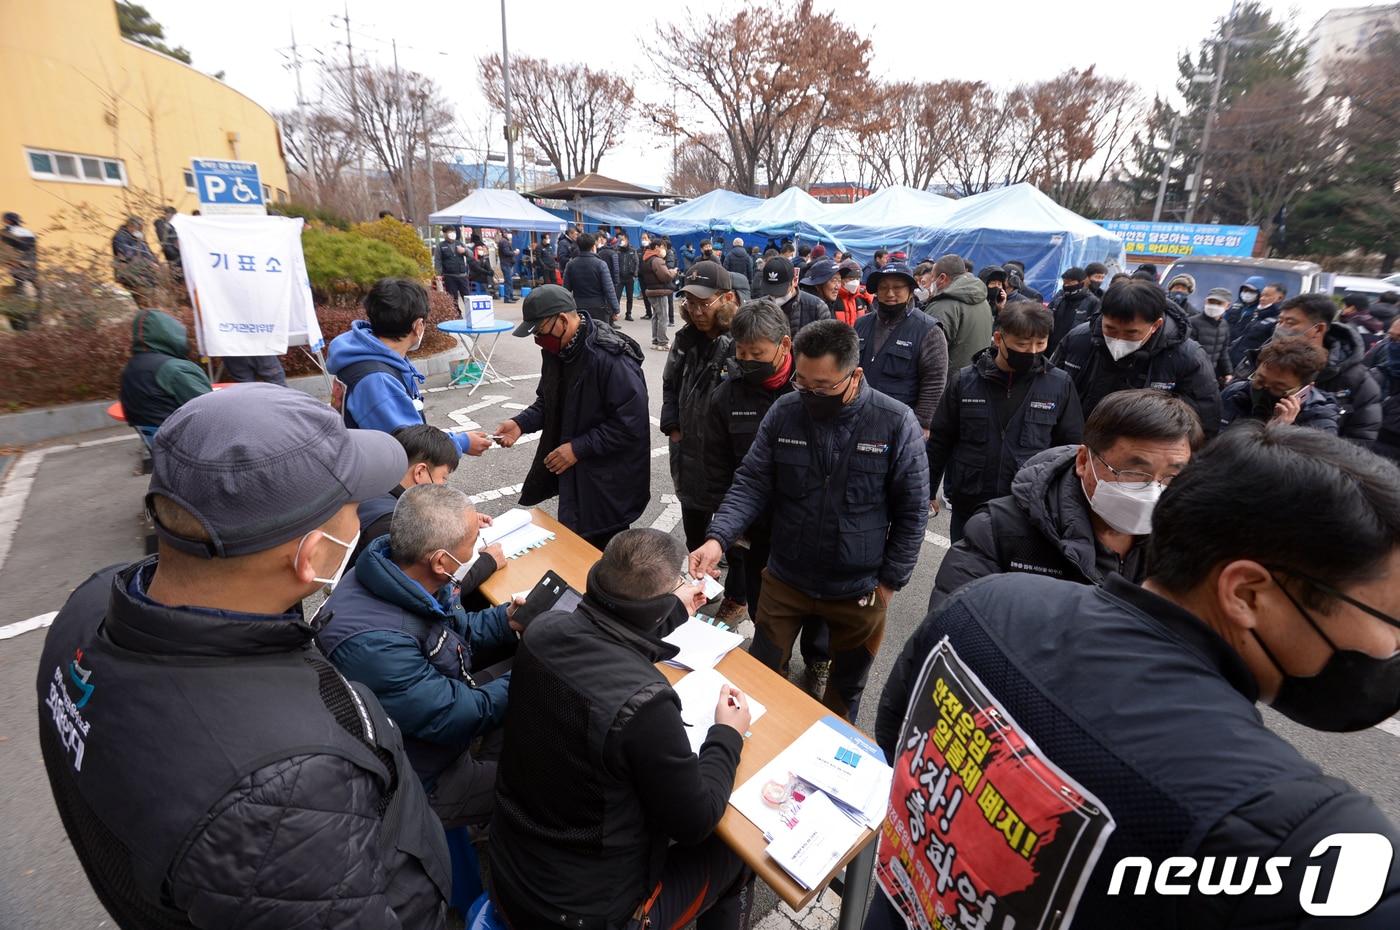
1023	223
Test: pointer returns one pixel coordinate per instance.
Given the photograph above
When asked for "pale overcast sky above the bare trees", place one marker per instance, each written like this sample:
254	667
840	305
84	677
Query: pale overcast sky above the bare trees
1003	43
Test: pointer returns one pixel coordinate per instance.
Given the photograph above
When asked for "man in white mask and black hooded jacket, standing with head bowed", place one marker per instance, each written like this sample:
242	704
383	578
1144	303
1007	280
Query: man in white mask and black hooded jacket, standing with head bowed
1140	340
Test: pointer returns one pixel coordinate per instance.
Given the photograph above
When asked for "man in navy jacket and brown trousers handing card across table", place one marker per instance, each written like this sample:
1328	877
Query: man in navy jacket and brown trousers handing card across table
845	473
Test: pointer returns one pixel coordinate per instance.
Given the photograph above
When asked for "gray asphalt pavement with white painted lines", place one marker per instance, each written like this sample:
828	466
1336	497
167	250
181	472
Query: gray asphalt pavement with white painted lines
73	506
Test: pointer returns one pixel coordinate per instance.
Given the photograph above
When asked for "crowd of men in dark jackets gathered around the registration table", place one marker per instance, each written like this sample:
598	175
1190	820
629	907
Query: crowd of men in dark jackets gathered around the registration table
1090	446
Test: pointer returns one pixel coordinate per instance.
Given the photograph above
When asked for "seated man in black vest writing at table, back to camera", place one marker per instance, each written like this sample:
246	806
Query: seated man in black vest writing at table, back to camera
597	778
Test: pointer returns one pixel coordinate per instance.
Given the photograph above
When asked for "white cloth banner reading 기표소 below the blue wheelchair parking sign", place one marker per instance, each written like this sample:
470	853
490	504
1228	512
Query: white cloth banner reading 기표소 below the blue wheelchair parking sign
248	285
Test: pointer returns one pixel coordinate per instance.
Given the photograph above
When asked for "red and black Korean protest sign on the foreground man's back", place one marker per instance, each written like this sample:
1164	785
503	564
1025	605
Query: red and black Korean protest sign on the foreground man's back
983	831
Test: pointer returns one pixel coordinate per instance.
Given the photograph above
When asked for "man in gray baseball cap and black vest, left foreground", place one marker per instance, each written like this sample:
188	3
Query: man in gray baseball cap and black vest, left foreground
211	767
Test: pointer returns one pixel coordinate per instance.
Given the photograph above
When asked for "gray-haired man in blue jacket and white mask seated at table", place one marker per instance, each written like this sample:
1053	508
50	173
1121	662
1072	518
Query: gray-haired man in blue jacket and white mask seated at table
395	624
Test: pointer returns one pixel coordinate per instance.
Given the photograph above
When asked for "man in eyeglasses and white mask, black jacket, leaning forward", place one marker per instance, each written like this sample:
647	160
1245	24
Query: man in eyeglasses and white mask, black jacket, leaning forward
1081	513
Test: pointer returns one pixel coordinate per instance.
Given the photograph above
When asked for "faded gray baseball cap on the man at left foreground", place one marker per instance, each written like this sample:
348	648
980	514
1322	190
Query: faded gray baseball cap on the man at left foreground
260	464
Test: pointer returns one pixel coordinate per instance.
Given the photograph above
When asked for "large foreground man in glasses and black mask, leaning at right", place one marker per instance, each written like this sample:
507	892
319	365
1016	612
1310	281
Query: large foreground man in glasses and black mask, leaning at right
1147	695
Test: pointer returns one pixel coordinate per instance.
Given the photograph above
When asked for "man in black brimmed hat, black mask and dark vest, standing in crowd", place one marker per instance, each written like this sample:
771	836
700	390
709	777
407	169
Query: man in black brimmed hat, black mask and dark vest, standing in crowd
905	352
